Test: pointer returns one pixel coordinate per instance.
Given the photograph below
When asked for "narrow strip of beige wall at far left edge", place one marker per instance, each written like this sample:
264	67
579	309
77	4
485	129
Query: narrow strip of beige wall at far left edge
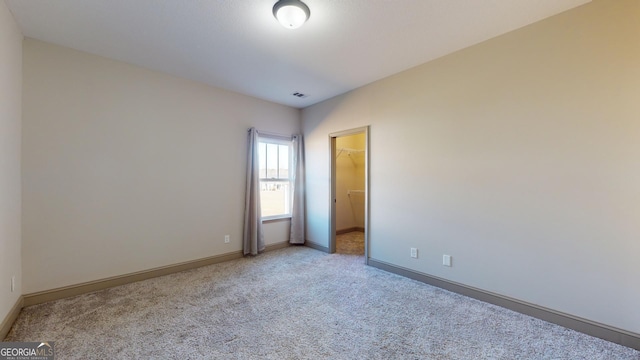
10	128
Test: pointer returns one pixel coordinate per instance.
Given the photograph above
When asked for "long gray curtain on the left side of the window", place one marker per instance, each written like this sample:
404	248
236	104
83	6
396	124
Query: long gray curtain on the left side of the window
253	237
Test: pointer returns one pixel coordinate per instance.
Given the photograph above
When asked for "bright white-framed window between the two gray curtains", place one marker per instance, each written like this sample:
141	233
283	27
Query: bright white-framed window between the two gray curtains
275	177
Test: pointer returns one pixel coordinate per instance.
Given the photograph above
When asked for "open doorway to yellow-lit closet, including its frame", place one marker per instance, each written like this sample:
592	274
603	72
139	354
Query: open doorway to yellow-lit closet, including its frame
349	192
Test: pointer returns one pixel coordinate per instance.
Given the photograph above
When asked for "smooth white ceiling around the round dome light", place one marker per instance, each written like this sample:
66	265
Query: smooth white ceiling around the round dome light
239	46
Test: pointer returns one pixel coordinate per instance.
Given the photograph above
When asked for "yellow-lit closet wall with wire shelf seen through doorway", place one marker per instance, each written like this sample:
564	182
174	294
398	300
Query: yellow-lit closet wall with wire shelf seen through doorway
350	176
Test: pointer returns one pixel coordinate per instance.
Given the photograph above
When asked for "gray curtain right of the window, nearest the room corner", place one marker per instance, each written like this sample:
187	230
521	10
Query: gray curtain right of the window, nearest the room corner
297	209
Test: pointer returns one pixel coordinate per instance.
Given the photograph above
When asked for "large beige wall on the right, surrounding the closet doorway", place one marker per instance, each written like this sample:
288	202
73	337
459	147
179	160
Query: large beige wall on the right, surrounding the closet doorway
519	158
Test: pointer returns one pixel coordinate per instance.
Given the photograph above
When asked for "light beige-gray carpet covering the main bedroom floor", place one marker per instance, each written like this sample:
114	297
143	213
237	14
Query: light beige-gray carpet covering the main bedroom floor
295	303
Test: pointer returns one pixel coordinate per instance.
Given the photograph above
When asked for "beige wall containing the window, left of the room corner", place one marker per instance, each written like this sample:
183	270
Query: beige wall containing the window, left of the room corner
127	169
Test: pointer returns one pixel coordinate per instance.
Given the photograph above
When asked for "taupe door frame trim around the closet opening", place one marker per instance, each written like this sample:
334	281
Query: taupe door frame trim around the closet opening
332	194
